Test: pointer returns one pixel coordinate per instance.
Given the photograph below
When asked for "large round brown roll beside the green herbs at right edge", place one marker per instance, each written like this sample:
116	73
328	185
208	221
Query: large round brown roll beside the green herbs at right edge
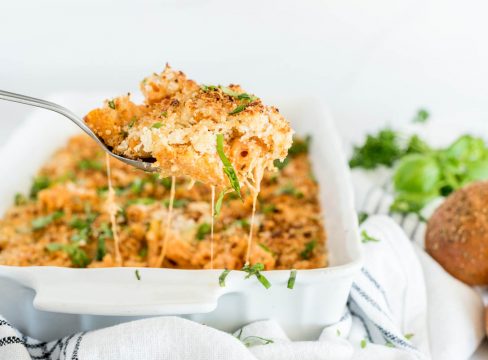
457	234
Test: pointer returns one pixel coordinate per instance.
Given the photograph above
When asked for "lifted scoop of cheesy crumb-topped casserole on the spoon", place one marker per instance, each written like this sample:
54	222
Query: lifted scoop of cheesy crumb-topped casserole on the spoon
179	122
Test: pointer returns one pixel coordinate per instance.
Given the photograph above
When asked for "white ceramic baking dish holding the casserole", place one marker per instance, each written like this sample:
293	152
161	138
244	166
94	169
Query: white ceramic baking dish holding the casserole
319	296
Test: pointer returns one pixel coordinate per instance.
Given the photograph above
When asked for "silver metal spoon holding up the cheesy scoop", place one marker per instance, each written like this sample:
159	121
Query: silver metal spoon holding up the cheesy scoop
146	165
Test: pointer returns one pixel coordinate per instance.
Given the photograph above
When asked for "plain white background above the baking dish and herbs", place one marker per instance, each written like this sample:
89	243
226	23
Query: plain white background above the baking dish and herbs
373	62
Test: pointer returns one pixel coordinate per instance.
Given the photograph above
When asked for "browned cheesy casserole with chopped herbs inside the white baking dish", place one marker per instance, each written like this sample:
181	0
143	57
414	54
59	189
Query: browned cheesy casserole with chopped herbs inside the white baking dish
288	217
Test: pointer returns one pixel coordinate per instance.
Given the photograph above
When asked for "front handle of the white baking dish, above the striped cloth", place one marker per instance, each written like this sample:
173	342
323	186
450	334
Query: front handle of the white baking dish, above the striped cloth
120	301
